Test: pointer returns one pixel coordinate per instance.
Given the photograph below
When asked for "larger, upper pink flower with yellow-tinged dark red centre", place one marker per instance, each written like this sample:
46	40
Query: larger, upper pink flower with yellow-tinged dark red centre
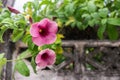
44	32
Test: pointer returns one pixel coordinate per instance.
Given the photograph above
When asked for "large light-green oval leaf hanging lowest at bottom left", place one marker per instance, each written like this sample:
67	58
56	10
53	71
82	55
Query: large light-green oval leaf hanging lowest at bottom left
22	68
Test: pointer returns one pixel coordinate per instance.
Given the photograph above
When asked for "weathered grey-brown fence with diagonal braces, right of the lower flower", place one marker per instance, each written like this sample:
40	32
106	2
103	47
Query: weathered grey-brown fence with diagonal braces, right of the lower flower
89	60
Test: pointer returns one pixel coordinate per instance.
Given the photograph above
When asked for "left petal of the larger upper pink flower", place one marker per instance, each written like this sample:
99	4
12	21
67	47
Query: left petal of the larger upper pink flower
34	30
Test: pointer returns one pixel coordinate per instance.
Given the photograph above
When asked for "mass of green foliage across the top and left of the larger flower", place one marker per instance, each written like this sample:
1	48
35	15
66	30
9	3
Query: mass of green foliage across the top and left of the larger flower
73	13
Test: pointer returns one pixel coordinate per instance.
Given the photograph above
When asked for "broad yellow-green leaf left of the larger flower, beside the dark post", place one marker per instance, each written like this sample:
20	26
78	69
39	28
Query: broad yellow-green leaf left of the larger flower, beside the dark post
17	35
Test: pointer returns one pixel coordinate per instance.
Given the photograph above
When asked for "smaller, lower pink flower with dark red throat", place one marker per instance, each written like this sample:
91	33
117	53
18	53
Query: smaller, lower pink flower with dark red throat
45	58
